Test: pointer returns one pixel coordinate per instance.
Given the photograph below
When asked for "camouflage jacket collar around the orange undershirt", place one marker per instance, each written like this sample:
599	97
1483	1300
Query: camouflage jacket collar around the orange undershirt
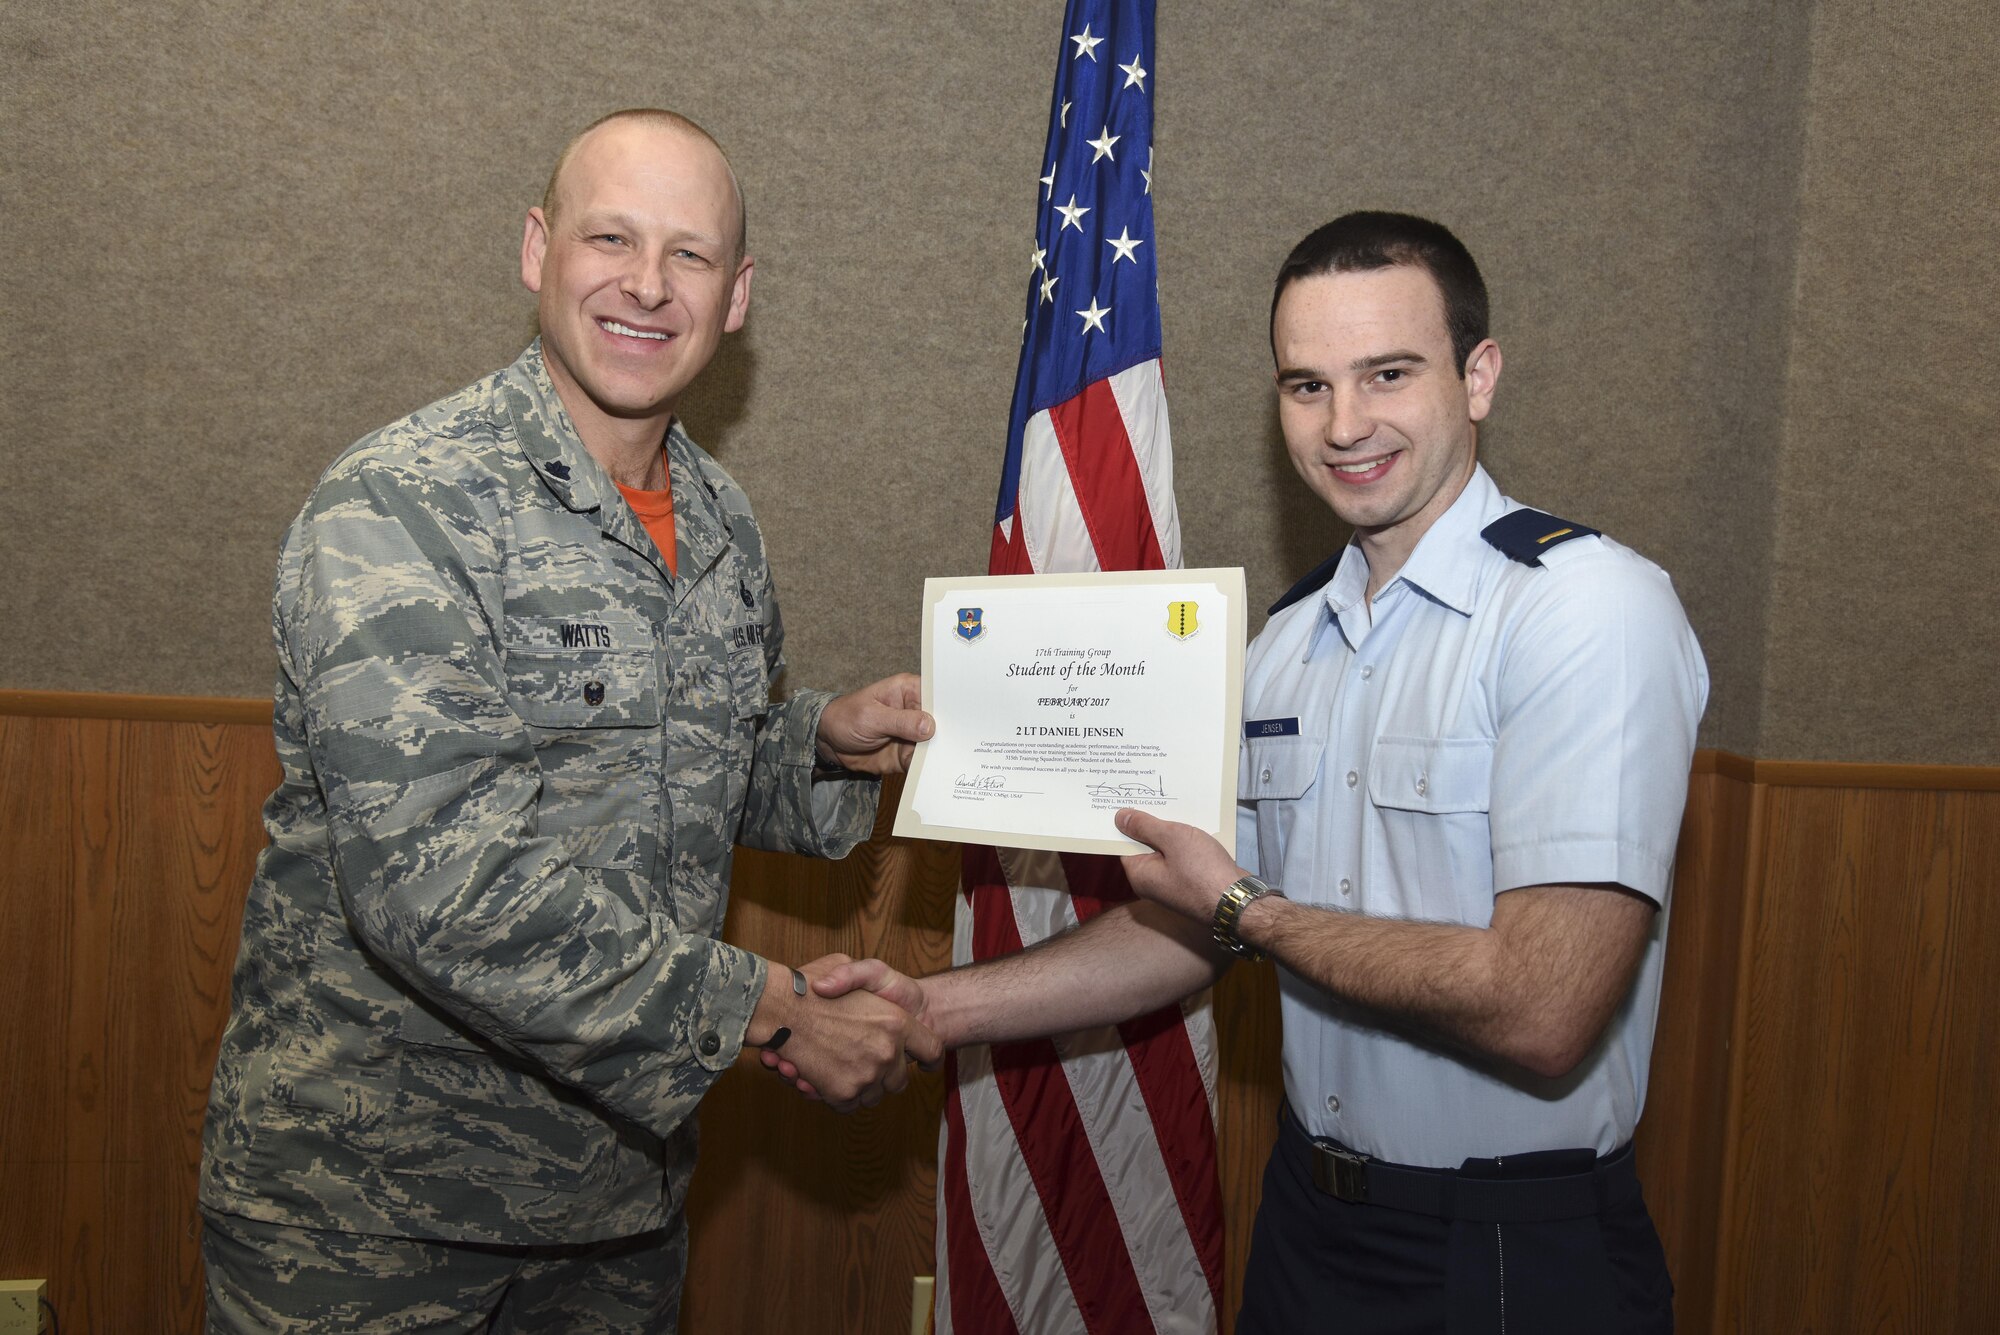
557	455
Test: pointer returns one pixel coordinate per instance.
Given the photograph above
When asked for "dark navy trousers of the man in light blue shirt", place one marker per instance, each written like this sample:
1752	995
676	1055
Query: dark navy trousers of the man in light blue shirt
1323	1264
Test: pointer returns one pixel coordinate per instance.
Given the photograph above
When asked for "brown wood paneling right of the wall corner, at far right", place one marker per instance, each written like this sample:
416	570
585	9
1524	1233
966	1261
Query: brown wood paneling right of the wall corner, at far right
1867	1194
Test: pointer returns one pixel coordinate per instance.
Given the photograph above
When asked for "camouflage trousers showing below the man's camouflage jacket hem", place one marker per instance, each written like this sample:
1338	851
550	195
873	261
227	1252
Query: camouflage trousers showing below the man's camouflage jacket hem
275	1278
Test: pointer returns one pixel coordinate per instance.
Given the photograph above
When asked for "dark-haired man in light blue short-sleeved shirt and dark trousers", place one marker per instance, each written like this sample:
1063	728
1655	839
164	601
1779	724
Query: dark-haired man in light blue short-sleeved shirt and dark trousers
1467	746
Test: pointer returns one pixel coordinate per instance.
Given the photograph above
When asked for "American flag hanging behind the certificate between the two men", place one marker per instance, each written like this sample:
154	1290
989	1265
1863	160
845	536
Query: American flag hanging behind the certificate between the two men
1077	1186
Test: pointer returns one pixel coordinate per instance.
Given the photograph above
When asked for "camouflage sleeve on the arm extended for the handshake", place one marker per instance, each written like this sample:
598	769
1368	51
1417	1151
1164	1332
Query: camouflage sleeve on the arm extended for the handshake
433	792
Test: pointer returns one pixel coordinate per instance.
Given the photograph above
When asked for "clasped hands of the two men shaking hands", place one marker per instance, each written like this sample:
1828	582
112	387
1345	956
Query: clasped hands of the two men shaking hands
843	1032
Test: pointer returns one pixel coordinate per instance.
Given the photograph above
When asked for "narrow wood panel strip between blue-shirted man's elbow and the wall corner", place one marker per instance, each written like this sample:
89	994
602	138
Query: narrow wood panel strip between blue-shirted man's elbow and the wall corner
1681	1140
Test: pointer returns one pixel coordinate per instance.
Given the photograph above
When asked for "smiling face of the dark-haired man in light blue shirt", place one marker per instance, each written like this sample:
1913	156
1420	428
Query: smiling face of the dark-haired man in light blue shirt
1375	413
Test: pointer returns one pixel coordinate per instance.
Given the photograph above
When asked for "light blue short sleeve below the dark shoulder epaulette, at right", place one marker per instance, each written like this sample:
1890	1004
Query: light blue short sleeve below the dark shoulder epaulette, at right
1599	696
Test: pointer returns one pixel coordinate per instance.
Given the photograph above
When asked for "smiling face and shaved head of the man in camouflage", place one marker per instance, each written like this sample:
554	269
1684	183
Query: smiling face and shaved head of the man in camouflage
637	277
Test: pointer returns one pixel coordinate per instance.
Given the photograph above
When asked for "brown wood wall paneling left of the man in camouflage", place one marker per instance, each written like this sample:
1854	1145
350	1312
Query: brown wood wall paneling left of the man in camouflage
131	846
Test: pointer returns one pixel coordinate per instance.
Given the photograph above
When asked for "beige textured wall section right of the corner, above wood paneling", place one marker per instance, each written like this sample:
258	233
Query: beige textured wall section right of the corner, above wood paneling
1885	587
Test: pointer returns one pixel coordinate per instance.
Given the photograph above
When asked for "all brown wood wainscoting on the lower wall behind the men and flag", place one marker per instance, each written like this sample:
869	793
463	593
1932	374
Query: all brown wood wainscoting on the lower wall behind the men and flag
1831	1172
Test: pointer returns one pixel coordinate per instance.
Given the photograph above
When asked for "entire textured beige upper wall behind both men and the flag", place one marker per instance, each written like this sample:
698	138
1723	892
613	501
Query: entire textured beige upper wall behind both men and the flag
1741	259
